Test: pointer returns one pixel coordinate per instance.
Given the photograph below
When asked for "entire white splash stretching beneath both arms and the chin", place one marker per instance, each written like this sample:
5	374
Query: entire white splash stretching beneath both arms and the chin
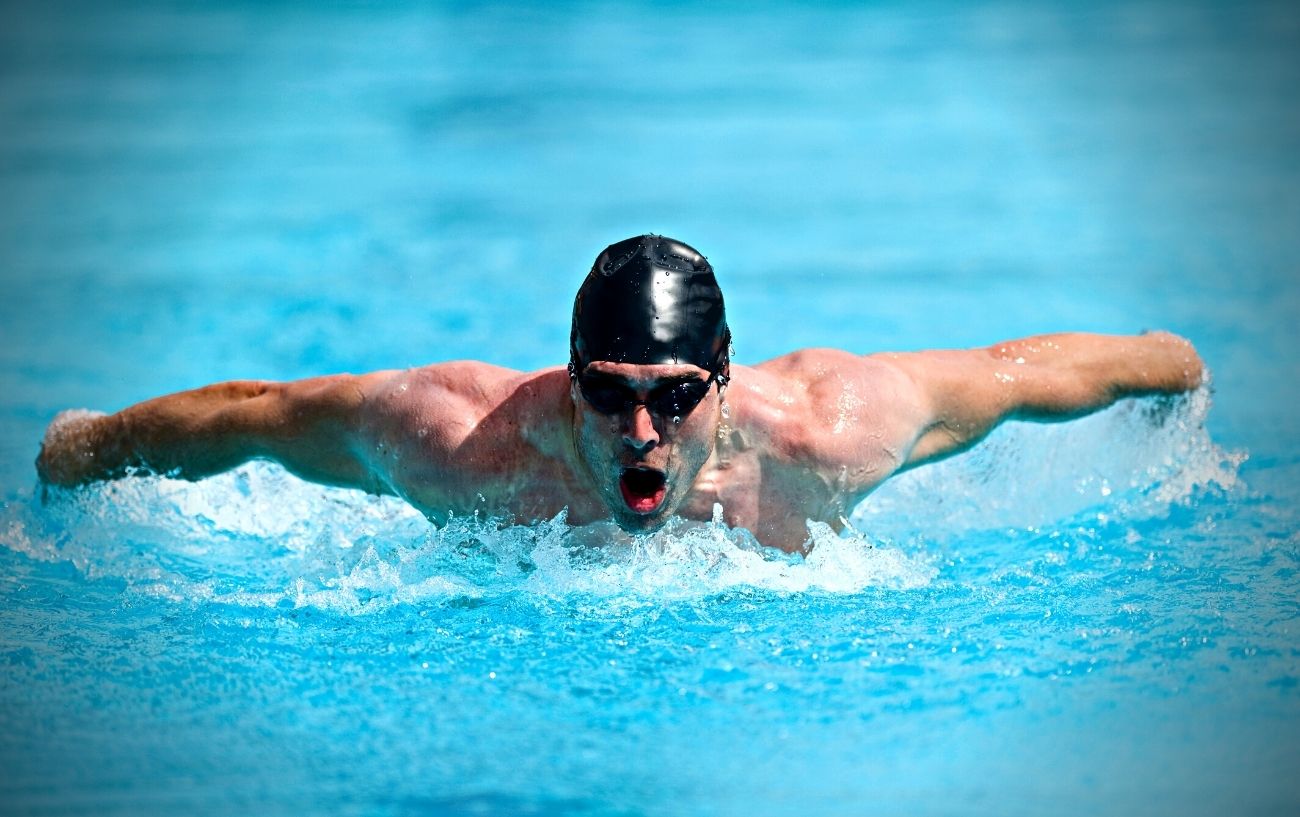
259	537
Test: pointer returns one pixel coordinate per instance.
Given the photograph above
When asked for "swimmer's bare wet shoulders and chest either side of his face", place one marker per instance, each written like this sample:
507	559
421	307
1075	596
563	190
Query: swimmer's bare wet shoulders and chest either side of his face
798	440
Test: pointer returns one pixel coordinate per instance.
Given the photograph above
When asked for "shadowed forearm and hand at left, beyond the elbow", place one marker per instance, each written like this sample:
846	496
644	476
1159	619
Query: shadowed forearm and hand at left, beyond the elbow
190	435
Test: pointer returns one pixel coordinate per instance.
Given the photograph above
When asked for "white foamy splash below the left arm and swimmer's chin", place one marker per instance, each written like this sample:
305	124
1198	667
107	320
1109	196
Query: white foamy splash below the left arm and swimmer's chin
259	537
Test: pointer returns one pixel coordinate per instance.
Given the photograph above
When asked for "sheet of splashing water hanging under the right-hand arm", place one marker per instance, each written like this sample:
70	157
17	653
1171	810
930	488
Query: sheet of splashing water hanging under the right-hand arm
1136	460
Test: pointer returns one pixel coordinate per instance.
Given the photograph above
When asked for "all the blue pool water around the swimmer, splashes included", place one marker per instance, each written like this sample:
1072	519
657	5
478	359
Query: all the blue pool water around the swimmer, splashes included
1099	617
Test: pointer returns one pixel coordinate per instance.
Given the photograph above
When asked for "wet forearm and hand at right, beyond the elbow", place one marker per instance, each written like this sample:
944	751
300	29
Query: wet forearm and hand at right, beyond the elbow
1059	377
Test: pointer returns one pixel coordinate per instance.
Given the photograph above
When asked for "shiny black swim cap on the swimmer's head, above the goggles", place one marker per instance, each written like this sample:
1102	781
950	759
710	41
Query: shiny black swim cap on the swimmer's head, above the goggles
651	300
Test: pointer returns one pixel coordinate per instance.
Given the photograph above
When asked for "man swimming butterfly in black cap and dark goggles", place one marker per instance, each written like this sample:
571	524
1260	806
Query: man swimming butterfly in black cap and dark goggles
651	420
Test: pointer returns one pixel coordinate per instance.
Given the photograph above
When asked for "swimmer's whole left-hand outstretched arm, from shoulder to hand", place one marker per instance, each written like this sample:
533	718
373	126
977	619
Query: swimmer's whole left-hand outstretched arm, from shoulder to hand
311	427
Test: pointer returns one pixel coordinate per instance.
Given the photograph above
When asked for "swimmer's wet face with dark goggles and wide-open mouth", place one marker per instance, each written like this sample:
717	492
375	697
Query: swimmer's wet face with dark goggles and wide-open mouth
643	434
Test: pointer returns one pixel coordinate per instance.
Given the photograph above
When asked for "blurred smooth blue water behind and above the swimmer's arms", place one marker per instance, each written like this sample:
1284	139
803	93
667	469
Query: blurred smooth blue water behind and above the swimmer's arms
213	191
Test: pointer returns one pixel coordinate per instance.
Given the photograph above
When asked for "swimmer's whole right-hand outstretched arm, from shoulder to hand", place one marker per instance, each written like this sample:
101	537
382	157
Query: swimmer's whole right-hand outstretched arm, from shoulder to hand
1047	378
